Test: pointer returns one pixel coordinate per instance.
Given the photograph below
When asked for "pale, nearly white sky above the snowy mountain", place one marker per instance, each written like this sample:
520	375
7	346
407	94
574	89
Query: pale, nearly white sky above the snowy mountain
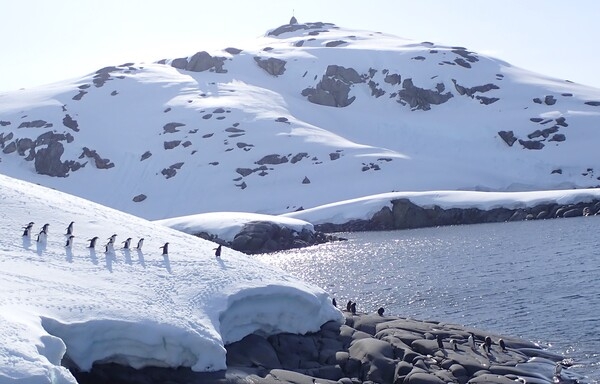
44	42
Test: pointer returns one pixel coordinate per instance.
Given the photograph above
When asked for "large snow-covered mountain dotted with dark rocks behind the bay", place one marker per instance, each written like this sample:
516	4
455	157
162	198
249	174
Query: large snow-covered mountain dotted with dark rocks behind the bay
310	114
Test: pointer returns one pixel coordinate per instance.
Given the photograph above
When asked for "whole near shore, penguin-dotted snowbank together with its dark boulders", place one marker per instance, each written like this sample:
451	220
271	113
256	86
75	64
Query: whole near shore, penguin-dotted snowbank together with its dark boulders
68	307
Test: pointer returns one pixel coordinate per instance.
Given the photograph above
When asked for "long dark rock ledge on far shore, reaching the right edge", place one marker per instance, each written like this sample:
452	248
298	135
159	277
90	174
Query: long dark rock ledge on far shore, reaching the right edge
404	214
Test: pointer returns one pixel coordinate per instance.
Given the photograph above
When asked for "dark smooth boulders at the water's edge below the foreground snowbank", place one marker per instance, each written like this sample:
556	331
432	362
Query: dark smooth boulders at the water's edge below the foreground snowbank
367	348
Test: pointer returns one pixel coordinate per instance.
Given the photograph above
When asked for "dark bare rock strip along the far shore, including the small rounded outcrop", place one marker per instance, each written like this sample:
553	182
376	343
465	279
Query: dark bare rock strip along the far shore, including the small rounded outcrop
257	237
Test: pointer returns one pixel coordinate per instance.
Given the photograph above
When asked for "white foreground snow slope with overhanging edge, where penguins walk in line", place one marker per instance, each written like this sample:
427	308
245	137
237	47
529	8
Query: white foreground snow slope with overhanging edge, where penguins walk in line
135	307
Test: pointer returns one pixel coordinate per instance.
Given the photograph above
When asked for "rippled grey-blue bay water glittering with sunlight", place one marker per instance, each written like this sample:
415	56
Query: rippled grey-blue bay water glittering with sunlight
539	280
